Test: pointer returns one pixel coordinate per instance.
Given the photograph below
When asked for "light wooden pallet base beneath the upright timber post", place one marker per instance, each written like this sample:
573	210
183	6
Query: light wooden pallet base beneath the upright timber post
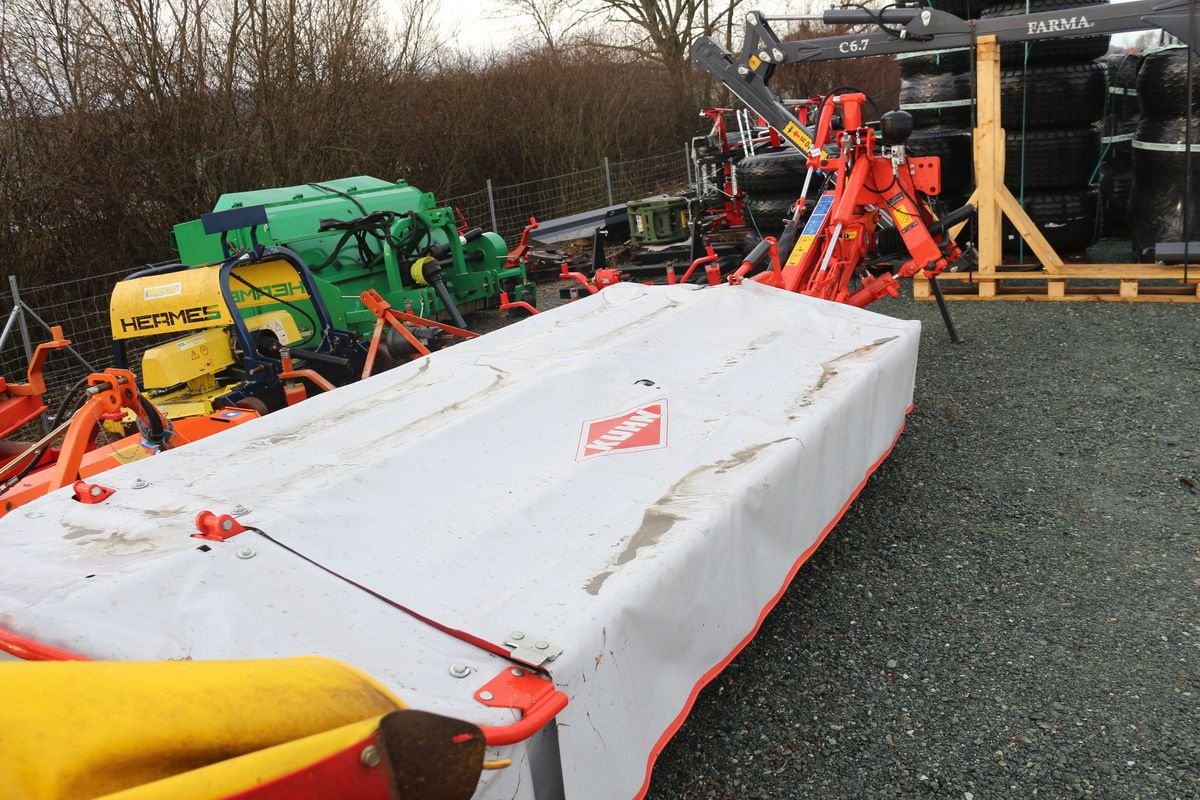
1121	282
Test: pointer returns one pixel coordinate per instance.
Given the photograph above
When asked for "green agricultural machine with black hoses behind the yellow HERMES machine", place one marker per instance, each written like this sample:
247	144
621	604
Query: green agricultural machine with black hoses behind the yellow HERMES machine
364	233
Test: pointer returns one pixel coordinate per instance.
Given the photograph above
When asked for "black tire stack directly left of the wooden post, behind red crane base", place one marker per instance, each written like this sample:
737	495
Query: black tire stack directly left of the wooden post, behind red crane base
938	91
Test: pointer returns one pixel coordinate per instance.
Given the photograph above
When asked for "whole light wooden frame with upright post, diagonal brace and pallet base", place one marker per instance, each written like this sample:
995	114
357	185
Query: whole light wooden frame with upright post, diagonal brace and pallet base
1057	280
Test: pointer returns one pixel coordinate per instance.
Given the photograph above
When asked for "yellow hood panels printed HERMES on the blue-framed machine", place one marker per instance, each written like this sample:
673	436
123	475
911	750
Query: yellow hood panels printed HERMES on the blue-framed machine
191	300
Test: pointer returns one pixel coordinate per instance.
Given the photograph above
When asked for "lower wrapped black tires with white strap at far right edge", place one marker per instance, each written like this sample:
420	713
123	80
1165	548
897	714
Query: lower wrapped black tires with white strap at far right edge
1160	183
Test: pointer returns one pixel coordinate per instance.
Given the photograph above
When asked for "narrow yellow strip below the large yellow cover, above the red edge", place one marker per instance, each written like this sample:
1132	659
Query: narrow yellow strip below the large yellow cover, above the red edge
236	775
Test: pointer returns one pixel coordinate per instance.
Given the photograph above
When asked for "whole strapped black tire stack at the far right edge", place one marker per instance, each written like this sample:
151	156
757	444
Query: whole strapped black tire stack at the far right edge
1161	179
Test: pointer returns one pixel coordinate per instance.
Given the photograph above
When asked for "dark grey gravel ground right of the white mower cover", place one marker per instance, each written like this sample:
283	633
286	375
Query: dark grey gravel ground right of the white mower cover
1011	607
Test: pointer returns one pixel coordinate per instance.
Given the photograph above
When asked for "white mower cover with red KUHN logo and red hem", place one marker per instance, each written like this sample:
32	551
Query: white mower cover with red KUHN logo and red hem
633	479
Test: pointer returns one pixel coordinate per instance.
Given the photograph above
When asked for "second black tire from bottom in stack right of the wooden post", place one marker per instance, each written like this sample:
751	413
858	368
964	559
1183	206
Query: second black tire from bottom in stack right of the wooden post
1054	159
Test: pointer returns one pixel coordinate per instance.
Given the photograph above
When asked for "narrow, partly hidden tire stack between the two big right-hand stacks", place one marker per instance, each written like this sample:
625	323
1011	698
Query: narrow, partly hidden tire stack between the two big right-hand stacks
1120	125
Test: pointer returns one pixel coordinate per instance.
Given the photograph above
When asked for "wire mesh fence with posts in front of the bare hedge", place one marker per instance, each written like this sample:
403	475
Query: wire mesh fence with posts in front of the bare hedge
81	308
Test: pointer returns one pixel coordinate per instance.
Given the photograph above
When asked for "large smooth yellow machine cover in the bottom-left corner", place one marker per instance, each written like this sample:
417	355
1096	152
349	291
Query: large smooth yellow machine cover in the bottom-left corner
86	730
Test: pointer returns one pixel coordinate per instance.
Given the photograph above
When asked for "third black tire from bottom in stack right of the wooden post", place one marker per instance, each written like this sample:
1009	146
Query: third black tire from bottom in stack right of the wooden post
1053	95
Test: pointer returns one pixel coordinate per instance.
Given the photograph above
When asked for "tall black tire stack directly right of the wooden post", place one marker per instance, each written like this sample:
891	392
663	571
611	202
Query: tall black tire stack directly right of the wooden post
1052	100
